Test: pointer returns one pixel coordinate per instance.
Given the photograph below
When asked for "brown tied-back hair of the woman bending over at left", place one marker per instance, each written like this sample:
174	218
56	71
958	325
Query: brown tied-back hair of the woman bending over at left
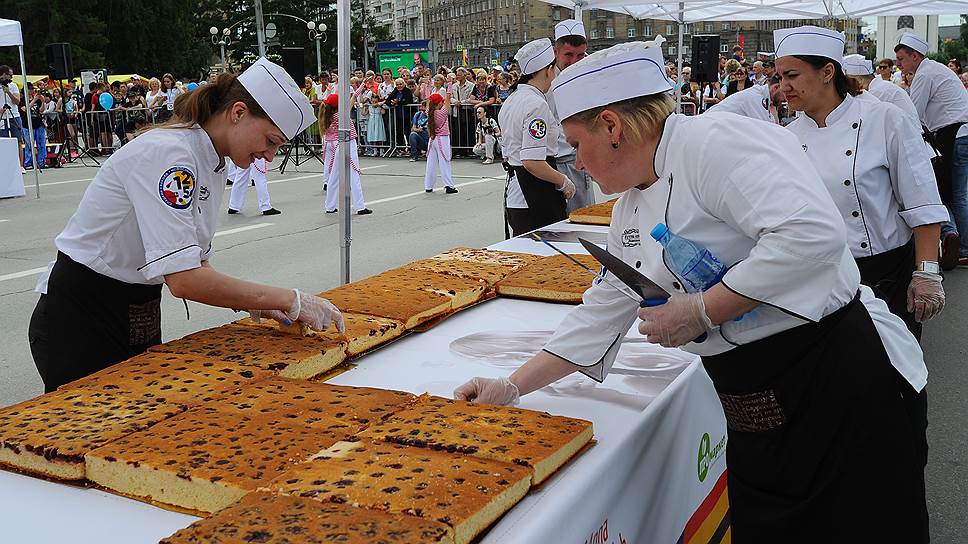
207	101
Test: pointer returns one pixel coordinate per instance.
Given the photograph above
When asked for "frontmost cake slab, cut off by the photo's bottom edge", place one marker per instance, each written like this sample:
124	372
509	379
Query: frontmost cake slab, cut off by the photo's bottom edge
281	519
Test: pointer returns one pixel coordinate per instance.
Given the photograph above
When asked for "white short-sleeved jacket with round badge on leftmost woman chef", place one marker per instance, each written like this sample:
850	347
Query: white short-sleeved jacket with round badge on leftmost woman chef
151	210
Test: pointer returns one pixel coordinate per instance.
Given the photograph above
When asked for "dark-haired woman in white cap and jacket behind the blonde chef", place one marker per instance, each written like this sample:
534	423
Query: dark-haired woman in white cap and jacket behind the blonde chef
871	158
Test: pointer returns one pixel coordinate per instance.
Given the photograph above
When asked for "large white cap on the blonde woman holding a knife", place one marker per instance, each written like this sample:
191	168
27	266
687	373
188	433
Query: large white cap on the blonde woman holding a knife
623	71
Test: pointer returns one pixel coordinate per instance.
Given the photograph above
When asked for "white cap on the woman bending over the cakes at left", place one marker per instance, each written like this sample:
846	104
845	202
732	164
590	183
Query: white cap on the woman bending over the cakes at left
279	96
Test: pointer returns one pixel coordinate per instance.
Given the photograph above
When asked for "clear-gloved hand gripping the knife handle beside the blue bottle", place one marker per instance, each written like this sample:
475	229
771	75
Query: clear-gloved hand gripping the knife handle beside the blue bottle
679	321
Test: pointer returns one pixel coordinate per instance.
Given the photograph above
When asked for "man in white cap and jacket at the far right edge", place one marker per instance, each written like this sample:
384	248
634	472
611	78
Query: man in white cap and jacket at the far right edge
942	104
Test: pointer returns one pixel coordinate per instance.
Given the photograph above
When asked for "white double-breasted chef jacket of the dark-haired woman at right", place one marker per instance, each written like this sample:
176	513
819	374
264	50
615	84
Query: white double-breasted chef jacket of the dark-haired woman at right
871	158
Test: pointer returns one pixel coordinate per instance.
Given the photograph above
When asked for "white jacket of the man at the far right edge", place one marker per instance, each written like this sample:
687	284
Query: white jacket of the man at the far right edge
939	96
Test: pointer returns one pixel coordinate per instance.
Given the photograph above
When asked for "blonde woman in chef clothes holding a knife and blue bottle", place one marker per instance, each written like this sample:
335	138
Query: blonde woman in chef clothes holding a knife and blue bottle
821	446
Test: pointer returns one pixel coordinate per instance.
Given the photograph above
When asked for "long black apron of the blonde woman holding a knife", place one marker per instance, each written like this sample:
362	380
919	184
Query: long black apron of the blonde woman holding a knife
822	447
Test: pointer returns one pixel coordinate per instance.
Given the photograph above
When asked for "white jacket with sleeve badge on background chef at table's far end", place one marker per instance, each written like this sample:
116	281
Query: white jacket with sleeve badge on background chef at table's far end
529	132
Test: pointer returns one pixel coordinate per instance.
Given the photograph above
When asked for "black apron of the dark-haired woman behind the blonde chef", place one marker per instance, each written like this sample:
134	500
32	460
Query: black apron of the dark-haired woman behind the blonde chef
888	274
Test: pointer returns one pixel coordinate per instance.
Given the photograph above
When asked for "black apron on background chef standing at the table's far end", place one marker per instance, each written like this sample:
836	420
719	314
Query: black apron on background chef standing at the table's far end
546	204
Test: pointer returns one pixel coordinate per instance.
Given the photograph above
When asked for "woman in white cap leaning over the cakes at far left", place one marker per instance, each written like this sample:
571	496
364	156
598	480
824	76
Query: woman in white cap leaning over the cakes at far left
148	219
